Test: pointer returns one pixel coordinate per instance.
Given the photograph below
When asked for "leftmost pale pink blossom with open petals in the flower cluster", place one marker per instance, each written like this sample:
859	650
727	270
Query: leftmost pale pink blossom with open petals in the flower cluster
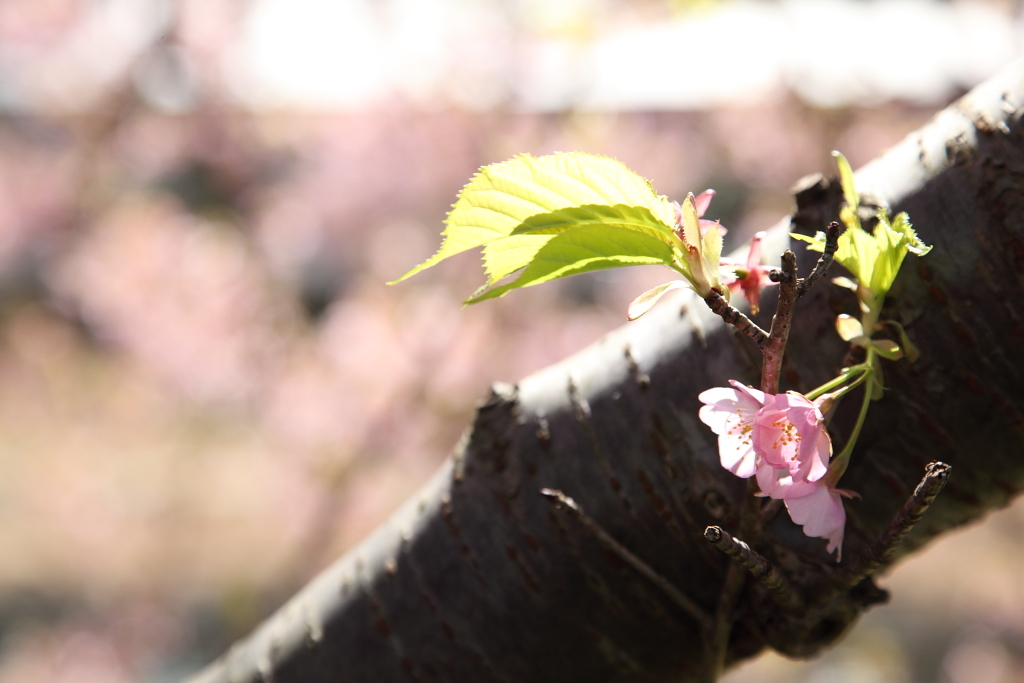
731	414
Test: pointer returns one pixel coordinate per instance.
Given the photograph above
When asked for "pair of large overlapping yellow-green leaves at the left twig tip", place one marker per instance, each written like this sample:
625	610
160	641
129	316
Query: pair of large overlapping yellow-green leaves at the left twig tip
556	217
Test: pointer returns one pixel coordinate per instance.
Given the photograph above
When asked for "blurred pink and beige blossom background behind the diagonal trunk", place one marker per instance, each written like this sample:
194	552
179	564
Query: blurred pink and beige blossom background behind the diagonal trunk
207	393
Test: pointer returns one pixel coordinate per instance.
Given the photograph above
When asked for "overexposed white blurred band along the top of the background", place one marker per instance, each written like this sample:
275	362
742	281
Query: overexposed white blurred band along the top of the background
529	56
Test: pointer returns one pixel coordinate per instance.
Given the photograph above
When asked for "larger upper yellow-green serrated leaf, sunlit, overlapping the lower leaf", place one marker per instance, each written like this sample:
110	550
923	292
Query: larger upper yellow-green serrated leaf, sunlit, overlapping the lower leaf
532	195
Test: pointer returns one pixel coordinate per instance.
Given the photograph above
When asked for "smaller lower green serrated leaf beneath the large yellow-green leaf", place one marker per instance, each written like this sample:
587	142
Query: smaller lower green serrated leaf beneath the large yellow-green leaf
583	249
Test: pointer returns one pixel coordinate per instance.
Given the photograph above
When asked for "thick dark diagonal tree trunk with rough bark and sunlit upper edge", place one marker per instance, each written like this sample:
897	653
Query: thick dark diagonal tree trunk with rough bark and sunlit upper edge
479	578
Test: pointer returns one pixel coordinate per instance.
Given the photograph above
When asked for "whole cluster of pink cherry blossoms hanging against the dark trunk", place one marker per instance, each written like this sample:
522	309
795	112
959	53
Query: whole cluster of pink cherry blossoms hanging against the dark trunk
782	440
